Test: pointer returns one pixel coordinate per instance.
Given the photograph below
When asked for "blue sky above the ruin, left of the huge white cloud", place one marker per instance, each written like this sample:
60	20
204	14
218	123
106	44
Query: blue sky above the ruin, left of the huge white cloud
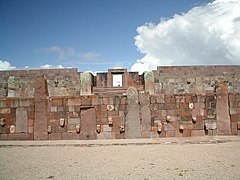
92	35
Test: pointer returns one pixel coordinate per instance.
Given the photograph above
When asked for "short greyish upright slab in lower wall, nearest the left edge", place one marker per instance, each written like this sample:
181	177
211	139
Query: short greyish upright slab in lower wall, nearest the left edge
21	120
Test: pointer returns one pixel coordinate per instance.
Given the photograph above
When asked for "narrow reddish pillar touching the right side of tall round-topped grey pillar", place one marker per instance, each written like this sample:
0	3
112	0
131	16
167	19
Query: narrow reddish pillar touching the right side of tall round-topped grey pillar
145	111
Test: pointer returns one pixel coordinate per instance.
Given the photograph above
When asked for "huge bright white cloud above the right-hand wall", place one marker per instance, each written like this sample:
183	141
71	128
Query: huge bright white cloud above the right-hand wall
208	34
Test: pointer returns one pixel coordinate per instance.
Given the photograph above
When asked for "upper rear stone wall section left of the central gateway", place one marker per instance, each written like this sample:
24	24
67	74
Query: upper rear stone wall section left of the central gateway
21	83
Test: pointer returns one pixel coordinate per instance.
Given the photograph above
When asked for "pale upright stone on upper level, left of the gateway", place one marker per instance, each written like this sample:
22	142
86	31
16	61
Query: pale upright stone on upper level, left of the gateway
86	83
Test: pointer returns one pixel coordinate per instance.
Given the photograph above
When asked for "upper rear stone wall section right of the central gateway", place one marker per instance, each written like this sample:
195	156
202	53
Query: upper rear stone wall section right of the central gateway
195	79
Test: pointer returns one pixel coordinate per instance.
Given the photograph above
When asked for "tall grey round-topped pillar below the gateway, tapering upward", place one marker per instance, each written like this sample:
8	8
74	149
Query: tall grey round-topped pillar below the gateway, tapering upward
132	121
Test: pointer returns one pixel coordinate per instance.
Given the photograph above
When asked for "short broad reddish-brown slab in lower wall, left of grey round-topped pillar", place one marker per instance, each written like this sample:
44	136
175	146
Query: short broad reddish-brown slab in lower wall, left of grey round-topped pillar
88	123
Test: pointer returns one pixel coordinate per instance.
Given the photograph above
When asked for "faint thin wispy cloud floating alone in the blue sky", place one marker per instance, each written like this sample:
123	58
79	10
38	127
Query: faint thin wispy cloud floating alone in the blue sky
64	53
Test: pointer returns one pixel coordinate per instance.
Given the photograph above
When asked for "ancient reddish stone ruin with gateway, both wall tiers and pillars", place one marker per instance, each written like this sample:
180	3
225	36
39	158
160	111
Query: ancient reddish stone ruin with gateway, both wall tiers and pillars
174	101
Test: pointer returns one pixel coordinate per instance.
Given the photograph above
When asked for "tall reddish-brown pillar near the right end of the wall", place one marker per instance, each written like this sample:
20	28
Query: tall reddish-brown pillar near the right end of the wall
222	110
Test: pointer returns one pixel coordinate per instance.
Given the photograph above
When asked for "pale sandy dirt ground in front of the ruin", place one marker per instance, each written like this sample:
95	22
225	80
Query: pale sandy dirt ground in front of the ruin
161	161
